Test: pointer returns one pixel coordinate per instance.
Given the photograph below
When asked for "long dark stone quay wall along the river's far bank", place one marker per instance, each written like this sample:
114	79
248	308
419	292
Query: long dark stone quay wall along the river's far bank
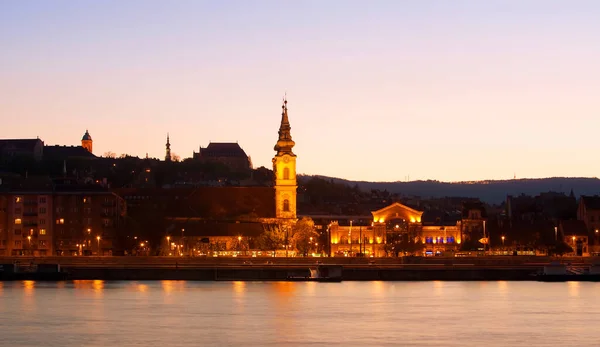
279	269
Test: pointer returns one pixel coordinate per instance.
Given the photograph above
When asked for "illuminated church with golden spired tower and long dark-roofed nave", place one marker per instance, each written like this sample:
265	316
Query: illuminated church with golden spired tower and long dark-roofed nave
218	216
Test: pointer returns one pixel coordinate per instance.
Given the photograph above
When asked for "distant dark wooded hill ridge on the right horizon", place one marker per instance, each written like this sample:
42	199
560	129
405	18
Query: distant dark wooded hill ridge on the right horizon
493	192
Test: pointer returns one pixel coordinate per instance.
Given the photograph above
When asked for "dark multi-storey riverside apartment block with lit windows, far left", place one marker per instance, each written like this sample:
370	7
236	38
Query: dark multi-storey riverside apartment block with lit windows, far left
58	219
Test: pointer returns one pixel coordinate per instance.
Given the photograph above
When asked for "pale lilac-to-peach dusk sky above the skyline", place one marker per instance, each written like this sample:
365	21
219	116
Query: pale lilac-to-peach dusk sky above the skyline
377	90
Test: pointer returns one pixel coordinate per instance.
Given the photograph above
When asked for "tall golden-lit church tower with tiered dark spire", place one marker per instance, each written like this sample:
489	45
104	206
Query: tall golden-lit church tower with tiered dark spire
284	169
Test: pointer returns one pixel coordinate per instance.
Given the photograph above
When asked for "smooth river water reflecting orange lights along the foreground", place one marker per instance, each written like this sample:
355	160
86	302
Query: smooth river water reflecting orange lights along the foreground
179	313
